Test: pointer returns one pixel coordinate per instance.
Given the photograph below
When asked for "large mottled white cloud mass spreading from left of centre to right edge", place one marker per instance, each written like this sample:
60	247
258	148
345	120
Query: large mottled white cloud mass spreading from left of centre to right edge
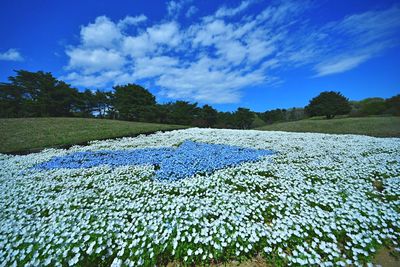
215	57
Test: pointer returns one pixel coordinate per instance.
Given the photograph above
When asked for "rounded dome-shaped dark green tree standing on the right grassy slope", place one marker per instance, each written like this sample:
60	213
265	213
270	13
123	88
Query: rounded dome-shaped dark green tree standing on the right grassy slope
328	104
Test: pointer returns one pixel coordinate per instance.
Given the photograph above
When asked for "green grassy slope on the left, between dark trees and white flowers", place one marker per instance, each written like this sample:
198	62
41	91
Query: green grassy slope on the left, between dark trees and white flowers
30	134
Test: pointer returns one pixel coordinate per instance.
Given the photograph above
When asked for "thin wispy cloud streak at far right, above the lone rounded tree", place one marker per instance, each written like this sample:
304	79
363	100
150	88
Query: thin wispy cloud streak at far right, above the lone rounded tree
356	39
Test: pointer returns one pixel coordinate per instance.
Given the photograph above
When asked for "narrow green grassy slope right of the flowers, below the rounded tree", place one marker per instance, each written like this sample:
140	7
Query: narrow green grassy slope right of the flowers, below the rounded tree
374	126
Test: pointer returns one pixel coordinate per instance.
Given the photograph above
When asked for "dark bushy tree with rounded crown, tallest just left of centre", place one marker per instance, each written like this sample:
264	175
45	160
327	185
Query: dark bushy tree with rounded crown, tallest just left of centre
133	102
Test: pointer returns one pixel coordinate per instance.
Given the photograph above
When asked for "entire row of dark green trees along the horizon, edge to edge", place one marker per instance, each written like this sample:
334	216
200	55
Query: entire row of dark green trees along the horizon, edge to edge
39	94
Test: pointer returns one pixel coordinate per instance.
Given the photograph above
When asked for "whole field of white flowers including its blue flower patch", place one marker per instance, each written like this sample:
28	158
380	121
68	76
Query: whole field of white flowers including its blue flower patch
202	197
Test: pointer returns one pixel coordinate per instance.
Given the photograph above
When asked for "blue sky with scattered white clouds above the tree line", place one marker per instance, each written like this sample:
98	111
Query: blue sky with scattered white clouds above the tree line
256	54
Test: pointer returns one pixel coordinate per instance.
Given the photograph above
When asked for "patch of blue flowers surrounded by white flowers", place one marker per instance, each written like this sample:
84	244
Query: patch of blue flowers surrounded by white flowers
172	164
